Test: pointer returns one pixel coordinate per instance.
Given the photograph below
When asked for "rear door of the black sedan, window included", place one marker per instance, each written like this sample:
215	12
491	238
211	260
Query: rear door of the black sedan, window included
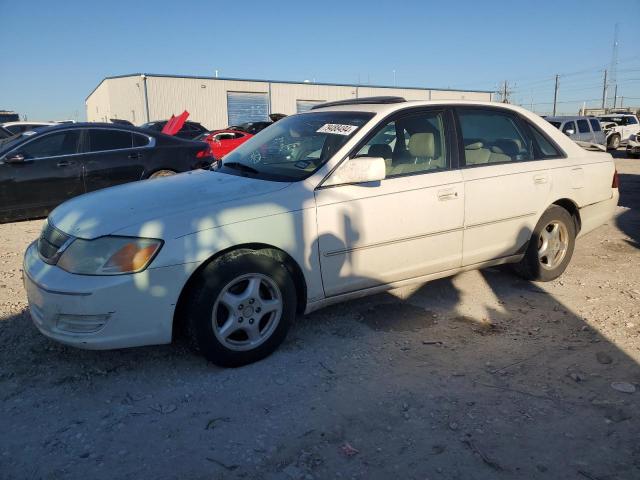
113	157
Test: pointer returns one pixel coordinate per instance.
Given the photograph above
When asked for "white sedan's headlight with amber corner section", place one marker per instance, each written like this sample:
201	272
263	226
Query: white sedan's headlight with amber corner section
109	255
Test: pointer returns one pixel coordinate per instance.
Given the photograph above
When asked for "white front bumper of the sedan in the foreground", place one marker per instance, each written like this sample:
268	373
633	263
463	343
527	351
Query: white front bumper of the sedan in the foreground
102	312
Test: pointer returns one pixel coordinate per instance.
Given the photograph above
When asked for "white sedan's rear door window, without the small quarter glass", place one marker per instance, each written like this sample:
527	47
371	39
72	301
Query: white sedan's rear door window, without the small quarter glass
493	137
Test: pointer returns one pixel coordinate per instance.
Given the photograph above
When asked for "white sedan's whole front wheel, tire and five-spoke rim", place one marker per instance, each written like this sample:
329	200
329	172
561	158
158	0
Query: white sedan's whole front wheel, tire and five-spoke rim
241	308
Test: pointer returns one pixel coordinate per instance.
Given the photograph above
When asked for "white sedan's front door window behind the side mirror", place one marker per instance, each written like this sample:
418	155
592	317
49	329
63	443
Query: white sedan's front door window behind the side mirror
410	145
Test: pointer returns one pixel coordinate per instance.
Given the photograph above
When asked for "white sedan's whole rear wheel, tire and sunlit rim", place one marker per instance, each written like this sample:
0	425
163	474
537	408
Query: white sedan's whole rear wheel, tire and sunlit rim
550	247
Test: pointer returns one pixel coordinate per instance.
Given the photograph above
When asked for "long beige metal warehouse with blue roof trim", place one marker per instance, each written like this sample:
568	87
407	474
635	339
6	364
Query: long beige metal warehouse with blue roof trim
220	102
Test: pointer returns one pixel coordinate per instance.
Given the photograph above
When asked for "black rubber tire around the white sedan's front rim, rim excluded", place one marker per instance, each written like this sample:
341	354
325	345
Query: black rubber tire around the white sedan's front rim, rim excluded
209	285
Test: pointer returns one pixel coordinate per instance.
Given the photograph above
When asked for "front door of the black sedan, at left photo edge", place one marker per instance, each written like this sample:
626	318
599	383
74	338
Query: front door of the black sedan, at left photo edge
50	173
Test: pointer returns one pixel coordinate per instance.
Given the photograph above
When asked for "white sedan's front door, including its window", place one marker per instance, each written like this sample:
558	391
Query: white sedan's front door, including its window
403	227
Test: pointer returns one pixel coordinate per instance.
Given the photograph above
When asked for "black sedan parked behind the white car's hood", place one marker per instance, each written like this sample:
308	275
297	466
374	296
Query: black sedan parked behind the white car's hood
44	167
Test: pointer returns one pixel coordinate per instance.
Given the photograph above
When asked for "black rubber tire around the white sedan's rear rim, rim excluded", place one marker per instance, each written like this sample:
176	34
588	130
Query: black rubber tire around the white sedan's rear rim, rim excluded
531	267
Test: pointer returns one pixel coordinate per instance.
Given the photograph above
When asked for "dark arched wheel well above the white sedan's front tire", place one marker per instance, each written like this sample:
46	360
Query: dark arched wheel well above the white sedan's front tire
292	266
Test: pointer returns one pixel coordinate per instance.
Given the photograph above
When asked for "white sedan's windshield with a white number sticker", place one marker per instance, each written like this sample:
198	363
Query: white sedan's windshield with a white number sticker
294	147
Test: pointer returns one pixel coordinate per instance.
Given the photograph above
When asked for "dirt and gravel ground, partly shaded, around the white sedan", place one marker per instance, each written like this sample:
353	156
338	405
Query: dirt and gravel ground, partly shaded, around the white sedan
480	376
